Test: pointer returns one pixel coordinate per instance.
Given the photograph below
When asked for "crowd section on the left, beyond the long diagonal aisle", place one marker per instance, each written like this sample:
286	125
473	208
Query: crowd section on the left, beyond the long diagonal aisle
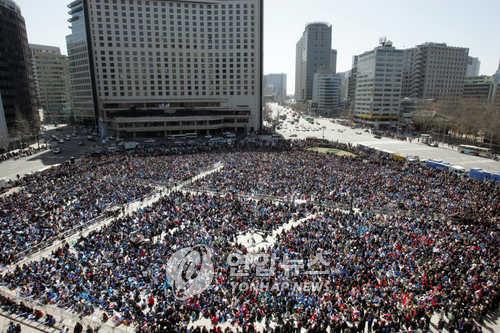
67	196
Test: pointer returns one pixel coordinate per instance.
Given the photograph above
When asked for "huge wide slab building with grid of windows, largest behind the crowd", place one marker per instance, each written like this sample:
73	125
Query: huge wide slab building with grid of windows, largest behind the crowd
169	67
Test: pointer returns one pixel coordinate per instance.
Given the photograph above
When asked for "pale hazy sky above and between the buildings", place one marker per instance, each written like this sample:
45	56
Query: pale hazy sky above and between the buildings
357	27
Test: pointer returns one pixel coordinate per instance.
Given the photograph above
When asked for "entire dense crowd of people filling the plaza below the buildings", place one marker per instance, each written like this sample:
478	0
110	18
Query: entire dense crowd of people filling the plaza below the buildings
423	243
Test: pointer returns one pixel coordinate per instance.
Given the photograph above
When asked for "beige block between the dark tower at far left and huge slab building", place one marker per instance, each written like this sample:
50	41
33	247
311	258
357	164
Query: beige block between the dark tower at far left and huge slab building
50	73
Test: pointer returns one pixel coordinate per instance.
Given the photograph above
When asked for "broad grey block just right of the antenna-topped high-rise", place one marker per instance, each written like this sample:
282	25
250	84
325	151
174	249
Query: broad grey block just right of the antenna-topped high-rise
439	71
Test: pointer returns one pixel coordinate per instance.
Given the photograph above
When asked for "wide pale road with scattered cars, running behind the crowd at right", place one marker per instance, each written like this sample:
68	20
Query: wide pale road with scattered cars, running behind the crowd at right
344	134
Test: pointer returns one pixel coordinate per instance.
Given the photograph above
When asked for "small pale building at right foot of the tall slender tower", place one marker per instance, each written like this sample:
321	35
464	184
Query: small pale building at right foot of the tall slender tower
326	94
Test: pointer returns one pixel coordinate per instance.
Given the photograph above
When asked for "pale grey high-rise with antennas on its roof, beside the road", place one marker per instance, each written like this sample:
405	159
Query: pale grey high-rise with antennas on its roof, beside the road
378	86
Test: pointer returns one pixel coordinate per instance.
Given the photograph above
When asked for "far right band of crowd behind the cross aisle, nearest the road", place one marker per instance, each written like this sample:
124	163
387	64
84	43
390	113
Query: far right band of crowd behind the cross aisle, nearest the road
371	182
